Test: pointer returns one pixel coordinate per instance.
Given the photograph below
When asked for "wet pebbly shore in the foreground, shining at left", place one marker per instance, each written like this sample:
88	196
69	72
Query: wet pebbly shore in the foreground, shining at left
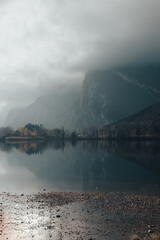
80	215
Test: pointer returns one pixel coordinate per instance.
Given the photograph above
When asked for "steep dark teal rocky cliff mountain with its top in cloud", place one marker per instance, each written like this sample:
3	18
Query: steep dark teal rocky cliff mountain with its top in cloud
111	95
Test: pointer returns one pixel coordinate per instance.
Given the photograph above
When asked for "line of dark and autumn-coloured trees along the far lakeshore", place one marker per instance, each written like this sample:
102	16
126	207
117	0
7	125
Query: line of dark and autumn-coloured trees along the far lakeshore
119	130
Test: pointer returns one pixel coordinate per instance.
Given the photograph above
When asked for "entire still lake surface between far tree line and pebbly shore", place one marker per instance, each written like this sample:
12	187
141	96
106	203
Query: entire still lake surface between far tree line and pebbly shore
81	166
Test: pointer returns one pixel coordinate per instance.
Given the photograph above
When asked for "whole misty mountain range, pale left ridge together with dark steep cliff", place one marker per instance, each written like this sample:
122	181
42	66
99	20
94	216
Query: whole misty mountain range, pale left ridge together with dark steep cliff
106	96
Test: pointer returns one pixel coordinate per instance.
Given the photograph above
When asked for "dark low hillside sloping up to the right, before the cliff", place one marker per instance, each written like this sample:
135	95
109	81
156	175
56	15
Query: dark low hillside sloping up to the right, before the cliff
146	123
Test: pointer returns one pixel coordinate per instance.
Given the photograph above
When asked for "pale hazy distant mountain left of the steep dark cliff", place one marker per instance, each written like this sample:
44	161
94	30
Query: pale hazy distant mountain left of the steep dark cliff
53	110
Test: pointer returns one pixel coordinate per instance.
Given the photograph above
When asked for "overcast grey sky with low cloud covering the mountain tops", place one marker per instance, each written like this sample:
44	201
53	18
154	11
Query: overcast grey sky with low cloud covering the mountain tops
48	42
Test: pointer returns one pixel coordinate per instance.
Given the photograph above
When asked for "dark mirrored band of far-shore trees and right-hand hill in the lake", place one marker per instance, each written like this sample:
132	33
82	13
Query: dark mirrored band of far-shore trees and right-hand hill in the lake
145	153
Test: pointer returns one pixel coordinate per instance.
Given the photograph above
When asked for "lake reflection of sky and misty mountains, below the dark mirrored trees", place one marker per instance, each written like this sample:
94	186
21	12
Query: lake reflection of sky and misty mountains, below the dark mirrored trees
70	169
